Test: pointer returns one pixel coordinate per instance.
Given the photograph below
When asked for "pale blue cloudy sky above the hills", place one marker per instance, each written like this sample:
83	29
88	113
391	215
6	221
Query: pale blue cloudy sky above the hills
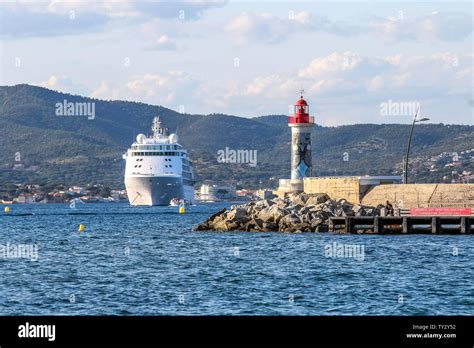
251	58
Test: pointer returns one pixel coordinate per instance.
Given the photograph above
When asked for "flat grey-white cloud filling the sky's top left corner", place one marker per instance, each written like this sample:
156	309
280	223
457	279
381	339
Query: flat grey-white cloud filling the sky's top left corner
53	18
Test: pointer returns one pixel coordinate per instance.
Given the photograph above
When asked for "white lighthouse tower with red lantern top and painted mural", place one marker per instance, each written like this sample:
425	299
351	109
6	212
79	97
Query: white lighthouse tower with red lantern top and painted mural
301	124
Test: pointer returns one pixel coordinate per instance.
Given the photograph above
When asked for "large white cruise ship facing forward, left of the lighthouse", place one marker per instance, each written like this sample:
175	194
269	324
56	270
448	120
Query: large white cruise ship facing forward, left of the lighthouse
158	170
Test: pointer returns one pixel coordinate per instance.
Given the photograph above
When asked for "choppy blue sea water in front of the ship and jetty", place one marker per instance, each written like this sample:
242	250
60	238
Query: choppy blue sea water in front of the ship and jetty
148	261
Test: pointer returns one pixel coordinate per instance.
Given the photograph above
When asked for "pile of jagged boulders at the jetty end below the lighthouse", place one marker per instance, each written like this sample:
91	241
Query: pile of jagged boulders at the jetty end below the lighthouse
298	213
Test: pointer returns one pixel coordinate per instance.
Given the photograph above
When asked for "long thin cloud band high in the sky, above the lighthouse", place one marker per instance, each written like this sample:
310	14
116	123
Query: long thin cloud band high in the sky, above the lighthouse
264	27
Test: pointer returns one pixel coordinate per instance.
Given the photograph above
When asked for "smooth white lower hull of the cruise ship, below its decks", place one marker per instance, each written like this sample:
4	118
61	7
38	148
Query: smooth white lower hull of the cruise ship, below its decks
156	190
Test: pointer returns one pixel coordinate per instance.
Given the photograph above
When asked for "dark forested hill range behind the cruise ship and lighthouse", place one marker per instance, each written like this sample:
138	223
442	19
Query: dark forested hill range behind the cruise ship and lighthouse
75	150
